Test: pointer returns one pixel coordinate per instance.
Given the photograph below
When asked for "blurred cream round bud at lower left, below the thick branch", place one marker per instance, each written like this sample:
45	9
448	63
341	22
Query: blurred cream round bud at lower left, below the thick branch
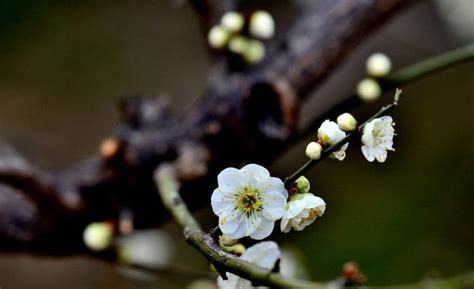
98	236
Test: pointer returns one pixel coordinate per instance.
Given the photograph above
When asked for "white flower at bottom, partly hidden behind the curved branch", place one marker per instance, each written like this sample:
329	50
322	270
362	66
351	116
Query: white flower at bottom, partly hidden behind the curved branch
263	254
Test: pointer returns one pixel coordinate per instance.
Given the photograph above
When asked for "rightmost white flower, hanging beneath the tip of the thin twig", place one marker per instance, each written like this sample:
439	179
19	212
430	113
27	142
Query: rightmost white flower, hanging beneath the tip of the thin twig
378	139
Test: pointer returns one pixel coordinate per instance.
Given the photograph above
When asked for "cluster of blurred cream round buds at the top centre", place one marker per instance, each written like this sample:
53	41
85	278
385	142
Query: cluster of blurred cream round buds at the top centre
248	44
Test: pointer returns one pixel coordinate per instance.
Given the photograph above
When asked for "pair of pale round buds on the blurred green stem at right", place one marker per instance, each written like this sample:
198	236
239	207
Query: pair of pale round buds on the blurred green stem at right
377	65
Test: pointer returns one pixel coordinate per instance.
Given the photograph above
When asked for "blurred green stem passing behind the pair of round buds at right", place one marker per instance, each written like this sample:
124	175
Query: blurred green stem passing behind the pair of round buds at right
396	79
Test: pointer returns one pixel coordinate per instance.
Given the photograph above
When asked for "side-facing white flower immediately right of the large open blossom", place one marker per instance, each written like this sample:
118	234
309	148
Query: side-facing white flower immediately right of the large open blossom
301	211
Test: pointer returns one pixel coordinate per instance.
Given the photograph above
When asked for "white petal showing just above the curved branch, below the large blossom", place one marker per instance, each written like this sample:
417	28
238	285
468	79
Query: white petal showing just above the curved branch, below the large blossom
263	254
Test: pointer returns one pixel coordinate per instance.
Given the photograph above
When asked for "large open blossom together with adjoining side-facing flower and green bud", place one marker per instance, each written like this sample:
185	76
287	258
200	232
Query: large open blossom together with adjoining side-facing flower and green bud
249	201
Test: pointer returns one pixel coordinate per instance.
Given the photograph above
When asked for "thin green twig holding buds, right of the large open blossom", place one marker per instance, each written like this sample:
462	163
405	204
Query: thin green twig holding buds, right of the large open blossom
327	152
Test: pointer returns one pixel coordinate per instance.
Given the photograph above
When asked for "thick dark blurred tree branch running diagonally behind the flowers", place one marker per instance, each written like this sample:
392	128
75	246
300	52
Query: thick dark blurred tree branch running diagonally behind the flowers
244	116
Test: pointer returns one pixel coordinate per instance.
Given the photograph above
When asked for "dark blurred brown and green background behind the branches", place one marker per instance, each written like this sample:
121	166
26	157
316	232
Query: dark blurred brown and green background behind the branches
64	64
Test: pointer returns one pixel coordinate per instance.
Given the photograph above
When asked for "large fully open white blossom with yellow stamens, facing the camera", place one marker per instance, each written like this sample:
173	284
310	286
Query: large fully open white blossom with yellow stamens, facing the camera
248	202
